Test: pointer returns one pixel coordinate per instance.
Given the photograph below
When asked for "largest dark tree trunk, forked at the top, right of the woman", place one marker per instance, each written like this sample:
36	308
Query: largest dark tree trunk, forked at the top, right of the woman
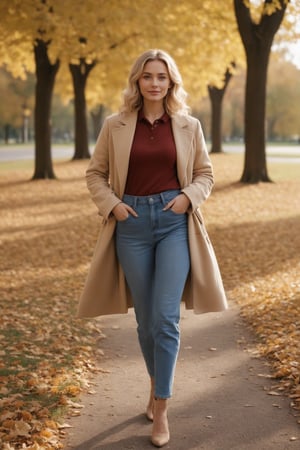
257	40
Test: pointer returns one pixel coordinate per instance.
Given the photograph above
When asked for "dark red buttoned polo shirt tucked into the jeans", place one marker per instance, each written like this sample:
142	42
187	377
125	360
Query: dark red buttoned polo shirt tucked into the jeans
152	163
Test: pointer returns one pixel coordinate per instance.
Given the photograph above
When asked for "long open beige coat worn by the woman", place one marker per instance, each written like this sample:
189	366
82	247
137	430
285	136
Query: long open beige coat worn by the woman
106	290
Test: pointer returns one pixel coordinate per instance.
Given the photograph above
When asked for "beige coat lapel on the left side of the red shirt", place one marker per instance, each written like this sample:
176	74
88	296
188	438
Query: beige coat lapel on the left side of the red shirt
122	135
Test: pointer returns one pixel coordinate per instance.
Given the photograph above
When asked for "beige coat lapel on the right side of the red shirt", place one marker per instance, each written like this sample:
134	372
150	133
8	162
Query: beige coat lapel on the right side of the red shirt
183	135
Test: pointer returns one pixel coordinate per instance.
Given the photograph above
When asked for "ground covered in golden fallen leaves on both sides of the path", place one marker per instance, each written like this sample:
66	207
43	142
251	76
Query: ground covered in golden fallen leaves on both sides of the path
48	231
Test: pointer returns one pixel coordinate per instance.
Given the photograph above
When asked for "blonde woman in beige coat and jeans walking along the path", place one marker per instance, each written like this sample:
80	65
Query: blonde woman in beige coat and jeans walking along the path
149	173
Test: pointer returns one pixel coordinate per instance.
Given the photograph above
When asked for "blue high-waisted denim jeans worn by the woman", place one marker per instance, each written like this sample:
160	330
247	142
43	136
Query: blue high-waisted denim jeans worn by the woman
154	254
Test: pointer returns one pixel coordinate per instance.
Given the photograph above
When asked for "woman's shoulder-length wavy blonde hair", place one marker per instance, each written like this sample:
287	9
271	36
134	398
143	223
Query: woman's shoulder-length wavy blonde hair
175	100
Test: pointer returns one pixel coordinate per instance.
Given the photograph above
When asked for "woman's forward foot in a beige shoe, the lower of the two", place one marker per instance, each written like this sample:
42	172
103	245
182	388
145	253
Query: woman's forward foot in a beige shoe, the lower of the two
160	431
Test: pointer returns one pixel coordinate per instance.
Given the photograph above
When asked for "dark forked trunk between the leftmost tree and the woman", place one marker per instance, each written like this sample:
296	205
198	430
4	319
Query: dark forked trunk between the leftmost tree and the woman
79	76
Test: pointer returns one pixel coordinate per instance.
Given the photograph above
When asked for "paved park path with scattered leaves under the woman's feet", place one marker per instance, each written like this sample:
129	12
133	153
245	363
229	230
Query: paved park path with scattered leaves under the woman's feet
221	395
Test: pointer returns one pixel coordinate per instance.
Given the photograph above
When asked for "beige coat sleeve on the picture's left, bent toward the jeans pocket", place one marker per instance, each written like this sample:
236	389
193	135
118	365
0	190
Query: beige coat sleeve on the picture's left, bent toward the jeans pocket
97	174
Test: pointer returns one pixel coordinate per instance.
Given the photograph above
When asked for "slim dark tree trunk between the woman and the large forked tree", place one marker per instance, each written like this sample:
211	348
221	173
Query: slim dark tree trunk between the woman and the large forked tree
216	96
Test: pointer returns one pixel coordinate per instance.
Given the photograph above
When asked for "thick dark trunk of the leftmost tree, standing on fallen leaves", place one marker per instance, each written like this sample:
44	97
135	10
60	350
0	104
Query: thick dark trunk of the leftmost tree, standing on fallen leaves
45	77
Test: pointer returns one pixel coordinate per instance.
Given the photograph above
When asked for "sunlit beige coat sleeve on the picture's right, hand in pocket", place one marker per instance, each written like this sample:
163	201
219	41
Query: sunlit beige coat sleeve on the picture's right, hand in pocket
201	172
